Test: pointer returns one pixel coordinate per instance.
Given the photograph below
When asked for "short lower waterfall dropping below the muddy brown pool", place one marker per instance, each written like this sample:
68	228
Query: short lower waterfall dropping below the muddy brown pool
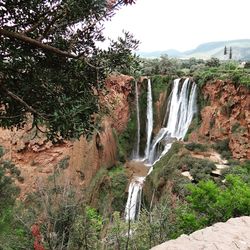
134	199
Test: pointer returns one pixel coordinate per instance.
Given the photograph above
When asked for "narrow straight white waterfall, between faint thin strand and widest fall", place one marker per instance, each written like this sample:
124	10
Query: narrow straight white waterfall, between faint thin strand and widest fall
149	119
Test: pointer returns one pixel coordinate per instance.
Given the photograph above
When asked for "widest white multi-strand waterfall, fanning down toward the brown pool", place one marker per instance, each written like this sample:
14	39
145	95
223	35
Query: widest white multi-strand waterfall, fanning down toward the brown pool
179	114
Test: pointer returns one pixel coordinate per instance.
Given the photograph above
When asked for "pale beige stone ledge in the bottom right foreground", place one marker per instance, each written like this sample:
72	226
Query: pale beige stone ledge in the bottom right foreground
231	235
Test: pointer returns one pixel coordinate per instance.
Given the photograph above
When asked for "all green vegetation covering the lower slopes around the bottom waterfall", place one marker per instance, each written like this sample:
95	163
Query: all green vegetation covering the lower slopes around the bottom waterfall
67	219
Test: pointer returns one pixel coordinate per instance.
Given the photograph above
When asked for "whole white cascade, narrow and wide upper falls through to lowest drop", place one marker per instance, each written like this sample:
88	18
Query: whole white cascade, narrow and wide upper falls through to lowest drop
180	110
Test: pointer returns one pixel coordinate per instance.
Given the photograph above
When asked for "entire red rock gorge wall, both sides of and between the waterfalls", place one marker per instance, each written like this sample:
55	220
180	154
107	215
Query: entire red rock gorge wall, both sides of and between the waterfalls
225	114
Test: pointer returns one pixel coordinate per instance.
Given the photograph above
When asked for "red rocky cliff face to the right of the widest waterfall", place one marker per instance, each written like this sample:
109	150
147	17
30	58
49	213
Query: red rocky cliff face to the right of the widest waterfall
226	116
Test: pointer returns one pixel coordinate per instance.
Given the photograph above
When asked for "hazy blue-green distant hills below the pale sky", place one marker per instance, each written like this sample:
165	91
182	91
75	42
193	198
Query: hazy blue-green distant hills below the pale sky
240	51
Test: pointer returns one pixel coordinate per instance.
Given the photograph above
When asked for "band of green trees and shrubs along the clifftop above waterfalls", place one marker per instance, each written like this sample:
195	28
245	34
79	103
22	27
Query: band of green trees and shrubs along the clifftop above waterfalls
202	71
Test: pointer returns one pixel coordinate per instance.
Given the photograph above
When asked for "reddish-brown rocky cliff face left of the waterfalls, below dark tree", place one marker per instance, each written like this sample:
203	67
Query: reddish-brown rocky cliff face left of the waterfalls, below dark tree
37	158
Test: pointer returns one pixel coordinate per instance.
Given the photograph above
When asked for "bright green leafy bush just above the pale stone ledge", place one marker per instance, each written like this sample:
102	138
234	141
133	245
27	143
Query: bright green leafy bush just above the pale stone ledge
209	203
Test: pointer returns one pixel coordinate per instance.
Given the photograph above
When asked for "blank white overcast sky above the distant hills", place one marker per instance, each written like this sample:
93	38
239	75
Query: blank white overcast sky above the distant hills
182	24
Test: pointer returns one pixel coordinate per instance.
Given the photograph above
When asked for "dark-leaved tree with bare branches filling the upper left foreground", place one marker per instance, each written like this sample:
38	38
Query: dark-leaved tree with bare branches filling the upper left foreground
51	66
